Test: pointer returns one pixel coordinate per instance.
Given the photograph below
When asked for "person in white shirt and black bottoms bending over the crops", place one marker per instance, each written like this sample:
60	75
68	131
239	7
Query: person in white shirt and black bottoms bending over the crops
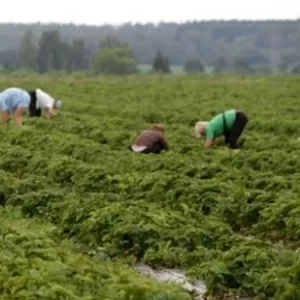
40	100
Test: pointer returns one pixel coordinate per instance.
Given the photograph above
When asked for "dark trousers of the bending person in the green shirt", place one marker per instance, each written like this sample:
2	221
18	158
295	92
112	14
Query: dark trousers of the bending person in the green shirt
232	137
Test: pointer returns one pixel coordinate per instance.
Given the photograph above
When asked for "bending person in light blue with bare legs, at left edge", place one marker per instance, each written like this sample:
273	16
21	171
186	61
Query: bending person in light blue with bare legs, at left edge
14	101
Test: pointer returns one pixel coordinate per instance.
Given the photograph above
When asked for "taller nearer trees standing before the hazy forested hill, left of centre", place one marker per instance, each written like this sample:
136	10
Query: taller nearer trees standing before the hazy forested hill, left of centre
112	56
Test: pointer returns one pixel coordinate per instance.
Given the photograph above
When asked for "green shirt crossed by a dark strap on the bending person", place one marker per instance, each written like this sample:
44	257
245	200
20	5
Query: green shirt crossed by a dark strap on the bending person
215	126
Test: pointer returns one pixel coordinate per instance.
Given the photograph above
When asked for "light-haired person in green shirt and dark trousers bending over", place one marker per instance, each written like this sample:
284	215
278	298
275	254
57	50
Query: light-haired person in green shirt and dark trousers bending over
230	124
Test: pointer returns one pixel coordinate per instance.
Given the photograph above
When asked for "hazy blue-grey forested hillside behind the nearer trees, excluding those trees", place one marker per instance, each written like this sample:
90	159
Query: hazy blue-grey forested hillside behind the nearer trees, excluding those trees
261	44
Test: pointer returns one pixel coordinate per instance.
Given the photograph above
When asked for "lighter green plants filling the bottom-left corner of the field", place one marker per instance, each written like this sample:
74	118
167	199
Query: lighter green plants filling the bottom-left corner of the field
36	266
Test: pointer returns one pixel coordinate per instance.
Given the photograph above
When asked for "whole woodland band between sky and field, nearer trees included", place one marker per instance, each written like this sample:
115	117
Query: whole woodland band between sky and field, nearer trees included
272	45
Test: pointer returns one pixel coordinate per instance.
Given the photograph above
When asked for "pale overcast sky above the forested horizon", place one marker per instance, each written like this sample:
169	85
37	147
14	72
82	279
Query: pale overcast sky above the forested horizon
119	11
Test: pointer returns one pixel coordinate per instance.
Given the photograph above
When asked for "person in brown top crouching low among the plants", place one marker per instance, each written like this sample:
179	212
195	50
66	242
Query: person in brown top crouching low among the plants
151	141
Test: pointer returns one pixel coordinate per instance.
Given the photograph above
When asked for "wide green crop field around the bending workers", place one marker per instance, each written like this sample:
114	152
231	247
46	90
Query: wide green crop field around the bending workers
79	210
